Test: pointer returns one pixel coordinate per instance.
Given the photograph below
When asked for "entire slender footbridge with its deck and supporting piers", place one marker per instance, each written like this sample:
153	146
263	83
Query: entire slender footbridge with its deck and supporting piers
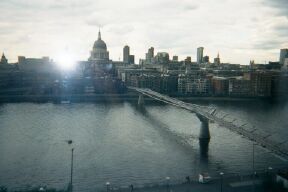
208	114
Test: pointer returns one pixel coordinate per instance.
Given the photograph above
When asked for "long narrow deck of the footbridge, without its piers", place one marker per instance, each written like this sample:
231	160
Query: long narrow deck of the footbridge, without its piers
214	115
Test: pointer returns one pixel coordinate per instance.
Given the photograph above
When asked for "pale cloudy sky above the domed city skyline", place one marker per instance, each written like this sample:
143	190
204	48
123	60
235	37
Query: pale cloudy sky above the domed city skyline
239	30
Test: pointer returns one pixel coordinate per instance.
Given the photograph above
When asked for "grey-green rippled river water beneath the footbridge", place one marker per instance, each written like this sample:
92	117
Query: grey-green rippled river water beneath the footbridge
122	144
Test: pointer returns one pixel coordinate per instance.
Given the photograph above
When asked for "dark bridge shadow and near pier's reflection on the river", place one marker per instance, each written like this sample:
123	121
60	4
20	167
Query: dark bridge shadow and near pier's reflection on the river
203	160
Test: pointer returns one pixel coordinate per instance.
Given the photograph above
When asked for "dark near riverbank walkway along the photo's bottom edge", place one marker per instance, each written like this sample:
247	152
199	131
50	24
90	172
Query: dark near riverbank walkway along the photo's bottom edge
259	183
